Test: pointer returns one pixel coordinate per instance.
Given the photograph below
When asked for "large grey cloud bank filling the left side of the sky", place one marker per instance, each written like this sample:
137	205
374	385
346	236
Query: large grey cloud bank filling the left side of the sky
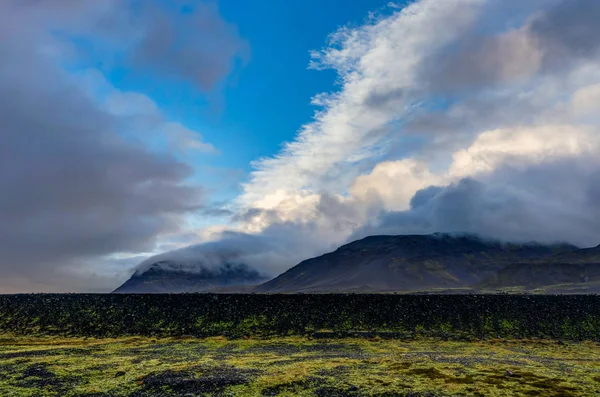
79	174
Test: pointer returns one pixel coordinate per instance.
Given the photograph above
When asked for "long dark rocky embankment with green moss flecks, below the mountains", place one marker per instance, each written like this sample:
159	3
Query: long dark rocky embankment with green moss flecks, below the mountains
569	317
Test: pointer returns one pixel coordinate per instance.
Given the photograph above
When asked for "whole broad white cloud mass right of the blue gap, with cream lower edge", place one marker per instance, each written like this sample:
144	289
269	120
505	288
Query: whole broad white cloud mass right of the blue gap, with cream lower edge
387	70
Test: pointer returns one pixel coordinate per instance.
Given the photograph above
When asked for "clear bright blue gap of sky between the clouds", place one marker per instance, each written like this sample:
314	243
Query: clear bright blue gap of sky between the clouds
265	101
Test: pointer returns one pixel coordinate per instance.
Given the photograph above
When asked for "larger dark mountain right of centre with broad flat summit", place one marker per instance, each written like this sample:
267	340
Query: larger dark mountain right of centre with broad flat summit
408	263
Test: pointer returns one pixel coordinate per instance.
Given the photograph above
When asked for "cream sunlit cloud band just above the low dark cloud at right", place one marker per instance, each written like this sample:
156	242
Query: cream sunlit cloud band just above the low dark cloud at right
394	183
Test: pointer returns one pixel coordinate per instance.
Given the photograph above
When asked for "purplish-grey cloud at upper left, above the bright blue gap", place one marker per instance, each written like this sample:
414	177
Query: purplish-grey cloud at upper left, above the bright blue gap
186	41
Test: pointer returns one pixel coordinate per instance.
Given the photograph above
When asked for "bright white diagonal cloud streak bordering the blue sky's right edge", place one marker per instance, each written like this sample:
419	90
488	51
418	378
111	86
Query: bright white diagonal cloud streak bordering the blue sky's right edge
378	65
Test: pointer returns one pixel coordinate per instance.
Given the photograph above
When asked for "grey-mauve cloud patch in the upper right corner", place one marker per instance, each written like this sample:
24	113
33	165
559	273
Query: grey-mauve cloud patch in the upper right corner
560	33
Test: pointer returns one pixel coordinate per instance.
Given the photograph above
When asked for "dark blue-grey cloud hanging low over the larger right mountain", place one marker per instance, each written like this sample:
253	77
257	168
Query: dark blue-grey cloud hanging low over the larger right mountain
550	202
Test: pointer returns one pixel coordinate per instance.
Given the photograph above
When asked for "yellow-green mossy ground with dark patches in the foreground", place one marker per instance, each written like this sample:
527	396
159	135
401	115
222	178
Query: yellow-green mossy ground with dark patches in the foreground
141	367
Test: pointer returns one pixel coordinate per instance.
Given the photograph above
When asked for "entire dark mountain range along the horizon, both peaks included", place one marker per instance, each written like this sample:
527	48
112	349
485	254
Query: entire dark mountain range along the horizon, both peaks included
395	263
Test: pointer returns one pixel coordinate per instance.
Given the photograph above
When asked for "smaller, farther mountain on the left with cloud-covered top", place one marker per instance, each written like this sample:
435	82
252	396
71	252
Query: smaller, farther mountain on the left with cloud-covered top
167	276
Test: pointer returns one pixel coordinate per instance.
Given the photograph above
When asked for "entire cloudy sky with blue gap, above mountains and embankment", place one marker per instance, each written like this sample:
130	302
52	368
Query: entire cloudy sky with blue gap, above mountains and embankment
267	133
